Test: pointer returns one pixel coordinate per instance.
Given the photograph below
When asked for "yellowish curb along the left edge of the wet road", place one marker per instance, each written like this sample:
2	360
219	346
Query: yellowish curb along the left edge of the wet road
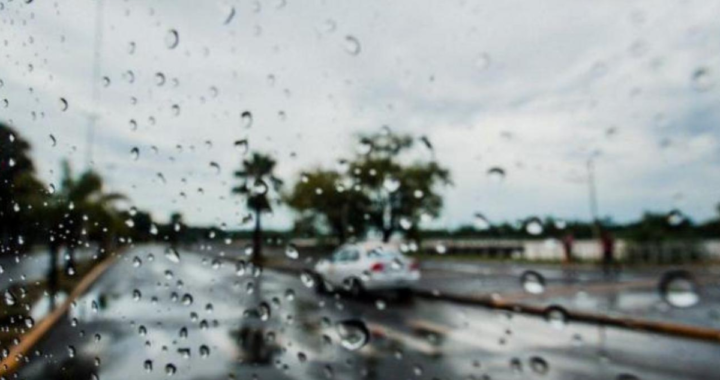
14	359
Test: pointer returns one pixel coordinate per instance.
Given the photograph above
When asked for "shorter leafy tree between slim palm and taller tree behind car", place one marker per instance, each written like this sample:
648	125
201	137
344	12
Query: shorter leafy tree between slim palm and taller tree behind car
326	203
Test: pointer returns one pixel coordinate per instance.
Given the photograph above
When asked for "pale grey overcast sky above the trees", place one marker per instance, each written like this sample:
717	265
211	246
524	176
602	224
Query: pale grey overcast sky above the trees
534	88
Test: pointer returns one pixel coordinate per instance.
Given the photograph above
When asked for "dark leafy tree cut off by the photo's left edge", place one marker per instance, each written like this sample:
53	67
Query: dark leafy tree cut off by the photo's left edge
20	192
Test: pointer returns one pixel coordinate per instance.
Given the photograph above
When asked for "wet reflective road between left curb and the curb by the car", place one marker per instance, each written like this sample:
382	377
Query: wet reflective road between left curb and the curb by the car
201	318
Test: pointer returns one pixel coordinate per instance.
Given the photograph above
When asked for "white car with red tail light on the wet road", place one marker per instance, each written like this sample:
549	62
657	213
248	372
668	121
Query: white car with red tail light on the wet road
367	267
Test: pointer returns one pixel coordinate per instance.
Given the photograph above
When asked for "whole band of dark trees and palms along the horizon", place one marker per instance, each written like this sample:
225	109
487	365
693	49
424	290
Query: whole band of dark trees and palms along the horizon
388	186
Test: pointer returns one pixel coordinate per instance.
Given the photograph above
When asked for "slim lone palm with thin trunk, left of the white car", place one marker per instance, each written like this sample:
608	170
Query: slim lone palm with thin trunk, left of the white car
257	179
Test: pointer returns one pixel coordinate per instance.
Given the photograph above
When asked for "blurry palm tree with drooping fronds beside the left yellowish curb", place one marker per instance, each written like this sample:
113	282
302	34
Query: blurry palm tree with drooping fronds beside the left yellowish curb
79	211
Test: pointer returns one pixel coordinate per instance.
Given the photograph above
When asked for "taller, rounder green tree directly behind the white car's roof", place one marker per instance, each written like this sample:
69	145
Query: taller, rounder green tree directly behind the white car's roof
401	194
